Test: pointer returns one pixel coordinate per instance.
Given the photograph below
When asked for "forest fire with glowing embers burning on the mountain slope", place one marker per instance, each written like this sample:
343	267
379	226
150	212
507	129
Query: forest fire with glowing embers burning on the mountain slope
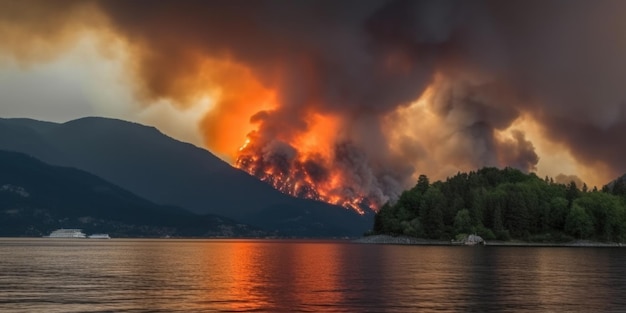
312	172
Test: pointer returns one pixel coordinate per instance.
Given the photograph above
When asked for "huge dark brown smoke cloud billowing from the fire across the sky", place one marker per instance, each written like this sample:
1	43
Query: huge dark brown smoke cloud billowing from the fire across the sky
559	62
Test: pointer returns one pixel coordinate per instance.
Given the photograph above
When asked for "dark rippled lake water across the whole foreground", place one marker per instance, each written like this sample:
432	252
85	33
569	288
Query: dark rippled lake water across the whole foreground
44	275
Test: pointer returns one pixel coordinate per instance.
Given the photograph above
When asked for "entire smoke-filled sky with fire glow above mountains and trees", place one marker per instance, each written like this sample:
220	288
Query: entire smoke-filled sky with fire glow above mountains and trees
338	100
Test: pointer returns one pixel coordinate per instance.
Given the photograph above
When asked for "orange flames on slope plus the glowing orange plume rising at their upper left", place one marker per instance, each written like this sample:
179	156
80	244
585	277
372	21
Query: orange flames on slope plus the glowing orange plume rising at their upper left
308	172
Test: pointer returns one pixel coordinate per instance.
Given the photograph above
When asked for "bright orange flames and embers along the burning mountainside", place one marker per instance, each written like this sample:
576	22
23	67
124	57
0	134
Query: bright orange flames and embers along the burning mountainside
309	173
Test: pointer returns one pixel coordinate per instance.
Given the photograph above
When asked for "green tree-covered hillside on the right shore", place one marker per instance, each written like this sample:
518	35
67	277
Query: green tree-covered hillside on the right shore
506	204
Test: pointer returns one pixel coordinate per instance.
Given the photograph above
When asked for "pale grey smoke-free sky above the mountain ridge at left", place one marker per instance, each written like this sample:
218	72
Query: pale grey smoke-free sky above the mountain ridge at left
83	82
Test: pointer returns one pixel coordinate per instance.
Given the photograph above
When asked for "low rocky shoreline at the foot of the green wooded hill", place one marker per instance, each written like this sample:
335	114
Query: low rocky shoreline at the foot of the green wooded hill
406	240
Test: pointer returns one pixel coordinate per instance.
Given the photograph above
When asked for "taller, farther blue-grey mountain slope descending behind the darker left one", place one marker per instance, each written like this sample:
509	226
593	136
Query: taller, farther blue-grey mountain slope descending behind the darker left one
167	171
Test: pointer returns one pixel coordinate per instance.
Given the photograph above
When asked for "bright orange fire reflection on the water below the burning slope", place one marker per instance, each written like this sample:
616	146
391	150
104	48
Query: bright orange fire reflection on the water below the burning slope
261	275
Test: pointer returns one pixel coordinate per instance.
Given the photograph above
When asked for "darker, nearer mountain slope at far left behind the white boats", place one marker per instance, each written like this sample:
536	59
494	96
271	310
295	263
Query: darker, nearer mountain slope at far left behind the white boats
36	198
